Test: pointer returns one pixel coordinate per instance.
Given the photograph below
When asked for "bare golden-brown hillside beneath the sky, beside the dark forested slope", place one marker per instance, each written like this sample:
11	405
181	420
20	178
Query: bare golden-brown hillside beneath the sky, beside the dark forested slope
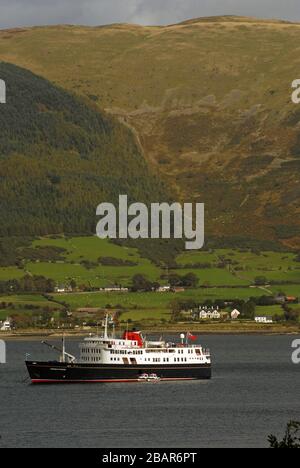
209	100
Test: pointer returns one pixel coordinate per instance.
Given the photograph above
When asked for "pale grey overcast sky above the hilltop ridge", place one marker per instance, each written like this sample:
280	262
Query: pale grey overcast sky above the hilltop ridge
96	12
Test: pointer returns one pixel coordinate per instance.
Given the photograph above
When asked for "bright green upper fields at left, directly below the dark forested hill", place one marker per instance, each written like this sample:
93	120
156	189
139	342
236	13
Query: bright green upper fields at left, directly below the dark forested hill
80	249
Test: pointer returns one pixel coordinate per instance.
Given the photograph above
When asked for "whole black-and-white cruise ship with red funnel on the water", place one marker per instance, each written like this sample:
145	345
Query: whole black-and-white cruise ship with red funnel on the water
130	358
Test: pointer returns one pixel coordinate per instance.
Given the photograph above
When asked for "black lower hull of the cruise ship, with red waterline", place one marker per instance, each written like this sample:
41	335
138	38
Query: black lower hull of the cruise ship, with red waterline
57	372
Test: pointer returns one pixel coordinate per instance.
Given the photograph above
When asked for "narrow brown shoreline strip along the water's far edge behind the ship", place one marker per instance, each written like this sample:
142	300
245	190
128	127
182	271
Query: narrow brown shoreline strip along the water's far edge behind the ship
201	329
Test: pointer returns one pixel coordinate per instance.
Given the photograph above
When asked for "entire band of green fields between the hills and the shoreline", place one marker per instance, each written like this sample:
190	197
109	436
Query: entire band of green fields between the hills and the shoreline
232	282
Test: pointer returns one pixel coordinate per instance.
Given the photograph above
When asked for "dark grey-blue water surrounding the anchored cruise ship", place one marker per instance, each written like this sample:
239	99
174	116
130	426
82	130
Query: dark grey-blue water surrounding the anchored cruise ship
255	391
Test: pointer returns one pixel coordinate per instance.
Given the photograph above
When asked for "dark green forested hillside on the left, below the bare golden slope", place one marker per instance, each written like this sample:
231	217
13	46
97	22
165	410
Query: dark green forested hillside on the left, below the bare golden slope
60	157
